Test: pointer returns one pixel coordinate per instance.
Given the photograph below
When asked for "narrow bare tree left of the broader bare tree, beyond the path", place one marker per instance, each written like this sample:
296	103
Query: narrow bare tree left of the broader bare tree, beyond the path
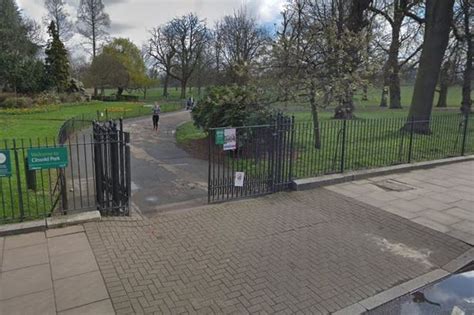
162	50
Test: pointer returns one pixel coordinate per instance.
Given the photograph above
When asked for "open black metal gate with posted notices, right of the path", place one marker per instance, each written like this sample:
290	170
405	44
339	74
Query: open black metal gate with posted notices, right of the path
250	161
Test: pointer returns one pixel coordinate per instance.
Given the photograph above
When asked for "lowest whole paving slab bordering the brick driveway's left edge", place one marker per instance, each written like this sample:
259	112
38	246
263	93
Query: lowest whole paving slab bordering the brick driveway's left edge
79	290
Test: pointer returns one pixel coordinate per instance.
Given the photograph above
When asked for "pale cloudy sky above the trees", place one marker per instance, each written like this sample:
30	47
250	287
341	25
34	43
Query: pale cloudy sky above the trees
132	18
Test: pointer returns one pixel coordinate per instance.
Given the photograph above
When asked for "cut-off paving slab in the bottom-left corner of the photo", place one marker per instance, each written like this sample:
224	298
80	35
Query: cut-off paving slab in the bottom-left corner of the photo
39	303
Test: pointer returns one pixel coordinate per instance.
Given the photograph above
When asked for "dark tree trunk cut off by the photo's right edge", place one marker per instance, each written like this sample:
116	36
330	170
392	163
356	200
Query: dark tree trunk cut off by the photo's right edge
467	74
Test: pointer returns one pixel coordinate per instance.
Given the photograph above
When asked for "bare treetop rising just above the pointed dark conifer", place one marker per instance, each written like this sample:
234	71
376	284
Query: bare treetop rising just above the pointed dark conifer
57	13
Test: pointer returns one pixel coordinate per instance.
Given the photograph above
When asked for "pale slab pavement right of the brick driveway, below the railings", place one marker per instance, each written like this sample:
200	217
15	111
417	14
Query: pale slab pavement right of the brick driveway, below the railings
441	198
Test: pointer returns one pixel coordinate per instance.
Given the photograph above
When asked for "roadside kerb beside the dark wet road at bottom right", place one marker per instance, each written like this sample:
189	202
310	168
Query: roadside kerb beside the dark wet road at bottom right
395	292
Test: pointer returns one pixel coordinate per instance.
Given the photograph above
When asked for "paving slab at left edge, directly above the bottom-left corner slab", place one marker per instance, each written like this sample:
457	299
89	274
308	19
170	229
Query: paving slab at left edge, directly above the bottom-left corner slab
25	281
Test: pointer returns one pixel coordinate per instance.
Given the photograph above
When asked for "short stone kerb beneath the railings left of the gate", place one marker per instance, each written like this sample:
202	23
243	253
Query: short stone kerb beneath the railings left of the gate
52	222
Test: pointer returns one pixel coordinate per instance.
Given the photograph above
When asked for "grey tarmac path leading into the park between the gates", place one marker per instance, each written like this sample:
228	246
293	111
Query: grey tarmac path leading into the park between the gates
163	173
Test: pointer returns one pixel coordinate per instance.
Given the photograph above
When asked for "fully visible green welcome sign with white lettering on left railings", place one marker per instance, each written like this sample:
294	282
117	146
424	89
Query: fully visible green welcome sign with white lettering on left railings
45	158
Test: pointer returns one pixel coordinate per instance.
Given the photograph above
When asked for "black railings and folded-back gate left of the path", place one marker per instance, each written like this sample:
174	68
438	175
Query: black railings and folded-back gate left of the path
27	194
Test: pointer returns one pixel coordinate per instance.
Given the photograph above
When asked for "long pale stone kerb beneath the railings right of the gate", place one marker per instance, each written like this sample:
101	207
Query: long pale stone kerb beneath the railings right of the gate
315	182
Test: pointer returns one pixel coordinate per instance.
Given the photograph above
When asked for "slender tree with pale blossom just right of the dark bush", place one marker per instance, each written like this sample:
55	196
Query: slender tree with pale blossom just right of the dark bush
317	55
